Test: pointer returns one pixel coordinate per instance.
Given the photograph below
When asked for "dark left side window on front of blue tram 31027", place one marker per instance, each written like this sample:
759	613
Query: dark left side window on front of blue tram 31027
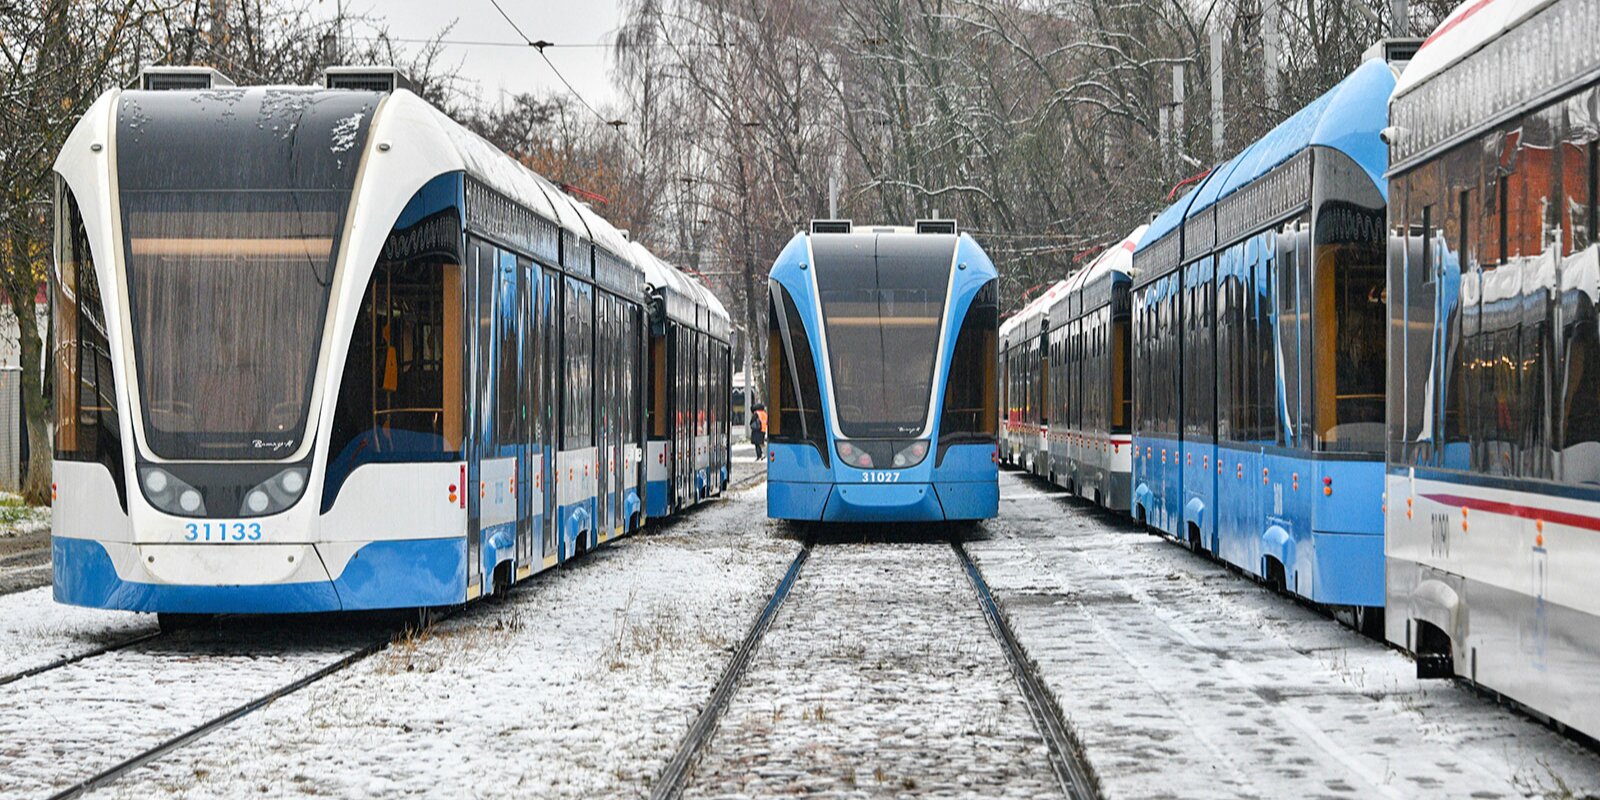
798	410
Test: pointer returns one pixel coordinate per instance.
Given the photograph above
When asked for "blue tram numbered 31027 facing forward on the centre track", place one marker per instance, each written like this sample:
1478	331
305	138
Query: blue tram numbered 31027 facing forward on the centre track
882	348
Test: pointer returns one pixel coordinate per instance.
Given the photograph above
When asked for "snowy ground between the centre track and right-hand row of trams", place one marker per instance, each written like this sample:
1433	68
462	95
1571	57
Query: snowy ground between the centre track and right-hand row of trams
1188	681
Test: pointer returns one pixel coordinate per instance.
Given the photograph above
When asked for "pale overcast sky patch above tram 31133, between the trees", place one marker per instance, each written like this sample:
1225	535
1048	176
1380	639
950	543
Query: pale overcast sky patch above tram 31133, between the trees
510	70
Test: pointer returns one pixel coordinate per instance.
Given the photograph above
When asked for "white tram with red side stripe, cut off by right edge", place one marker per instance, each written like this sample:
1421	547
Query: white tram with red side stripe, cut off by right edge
1494	482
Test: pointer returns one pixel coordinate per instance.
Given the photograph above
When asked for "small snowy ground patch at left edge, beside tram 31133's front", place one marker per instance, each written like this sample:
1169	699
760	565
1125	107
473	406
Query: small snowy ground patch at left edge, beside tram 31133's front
36	631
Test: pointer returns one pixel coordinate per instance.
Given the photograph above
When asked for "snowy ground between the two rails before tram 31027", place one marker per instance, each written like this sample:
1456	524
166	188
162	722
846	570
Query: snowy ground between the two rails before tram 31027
878	679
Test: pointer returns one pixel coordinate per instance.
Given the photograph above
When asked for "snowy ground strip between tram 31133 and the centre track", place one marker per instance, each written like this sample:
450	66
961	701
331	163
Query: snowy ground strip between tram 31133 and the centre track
582	684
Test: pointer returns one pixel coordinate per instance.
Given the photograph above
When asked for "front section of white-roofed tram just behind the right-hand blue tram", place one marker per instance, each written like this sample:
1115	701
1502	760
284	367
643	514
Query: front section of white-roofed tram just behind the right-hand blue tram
1090	380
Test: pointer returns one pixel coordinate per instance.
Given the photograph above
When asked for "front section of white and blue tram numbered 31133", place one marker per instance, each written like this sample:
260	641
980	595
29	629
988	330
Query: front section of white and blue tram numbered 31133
326	350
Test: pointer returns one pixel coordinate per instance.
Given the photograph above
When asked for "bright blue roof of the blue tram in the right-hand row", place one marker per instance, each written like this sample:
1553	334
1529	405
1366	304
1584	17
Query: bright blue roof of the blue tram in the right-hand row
1346	119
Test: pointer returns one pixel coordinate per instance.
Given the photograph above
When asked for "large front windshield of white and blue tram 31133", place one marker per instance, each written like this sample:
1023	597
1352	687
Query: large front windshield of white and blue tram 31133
233	204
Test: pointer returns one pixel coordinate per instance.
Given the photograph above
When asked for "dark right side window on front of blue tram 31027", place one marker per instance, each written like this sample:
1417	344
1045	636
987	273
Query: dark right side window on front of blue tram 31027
970	390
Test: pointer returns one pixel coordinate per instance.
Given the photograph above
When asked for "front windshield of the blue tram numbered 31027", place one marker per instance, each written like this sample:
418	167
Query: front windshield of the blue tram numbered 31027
882	306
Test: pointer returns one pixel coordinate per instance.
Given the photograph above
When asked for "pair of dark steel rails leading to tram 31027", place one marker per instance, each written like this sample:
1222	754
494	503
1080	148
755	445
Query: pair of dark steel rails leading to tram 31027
1070	769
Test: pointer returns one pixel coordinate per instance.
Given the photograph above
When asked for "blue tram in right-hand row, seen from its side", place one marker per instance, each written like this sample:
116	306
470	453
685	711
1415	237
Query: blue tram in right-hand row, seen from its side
1258	335
